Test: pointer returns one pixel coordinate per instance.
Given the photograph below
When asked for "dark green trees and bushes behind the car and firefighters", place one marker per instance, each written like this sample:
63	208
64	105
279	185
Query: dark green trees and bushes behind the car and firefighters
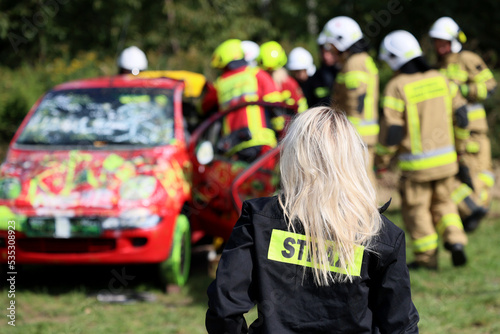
46	42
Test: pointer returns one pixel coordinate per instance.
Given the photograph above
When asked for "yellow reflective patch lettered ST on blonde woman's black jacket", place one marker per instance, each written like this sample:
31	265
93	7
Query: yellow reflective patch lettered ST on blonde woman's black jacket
292	248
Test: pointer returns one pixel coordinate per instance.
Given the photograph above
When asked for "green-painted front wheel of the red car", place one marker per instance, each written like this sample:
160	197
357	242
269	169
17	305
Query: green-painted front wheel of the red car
175	270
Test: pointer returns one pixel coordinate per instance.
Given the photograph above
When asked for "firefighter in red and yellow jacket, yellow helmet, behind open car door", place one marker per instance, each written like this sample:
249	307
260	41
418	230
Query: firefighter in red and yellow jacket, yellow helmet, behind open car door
246	132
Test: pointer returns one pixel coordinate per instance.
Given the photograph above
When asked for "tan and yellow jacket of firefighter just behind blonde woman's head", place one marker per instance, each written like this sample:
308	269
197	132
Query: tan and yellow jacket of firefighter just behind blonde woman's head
356	91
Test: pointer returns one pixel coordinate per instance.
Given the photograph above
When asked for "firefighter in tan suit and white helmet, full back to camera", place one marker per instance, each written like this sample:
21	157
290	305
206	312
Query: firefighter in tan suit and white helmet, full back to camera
417	124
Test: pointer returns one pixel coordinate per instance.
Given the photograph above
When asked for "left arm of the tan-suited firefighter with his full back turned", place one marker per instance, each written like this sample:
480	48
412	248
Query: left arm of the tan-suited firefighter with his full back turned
392	130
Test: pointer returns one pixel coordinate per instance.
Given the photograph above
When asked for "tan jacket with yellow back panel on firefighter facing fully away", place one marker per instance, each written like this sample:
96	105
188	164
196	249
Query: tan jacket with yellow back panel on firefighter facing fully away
418	126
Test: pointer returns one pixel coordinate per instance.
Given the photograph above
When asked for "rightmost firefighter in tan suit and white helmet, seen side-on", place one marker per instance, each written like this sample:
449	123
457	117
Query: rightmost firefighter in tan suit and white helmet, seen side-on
475	179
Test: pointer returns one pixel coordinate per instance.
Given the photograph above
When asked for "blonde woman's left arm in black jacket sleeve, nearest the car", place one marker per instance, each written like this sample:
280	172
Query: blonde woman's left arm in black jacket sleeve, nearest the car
231	294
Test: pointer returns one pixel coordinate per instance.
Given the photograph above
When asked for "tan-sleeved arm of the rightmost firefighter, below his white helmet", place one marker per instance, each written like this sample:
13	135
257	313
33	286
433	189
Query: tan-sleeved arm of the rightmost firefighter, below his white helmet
481	82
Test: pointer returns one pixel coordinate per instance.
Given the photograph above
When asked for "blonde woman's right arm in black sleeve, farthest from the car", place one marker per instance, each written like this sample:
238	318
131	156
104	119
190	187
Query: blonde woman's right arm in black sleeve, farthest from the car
390	299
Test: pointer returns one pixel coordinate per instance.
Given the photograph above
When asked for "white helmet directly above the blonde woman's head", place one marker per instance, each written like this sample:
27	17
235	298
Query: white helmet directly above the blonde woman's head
342	32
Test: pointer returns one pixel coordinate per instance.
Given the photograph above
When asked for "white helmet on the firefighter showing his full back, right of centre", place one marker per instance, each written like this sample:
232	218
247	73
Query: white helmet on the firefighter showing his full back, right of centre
398	48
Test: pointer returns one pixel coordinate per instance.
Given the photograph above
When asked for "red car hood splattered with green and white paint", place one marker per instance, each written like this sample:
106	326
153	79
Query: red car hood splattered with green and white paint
95	182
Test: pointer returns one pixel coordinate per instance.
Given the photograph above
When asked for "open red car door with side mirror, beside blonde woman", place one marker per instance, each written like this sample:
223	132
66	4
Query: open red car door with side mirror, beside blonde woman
220	182
